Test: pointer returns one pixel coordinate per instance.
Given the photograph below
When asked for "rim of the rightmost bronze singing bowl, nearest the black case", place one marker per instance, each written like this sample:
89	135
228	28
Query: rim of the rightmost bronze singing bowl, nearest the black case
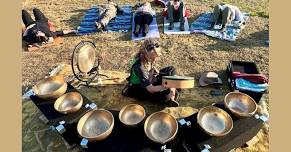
237	113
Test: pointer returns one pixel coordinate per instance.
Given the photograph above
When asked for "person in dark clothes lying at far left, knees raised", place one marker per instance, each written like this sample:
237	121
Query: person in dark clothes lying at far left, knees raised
38	32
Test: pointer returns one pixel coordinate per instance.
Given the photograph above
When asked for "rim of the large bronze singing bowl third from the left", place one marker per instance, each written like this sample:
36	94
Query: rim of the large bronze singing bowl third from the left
89	114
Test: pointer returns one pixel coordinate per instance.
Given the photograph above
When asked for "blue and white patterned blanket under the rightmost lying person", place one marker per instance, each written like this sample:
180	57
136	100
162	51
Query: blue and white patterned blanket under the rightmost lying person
203	23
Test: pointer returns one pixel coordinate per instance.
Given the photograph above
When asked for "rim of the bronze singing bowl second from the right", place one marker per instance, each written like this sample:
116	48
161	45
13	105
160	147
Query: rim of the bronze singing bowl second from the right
220	110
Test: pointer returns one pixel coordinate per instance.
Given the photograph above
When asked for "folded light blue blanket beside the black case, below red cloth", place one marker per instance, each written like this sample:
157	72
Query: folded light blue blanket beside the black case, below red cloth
243	84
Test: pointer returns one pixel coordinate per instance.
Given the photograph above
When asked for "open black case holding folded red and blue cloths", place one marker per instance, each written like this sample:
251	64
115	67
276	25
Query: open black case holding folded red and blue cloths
243	67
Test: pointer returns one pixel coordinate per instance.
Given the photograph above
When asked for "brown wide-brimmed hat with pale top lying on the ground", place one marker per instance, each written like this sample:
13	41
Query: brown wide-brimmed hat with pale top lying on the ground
208	78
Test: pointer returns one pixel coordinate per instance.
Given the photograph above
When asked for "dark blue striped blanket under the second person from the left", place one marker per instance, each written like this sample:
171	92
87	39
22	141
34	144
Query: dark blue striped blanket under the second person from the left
121	23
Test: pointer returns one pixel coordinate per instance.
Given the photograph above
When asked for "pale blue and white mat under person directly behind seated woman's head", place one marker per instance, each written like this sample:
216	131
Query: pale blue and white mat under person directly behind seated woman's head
153	31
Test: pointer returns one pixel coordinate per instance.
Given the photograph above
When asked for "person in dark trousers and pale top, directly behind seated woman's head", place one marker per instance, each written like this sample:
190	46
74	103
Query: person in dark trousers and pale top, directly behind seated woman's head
143	18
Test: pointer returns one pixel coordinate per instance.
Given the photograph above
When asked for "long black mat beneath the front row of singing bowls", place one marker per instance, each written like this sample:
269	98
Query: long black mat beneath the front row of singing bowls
187	139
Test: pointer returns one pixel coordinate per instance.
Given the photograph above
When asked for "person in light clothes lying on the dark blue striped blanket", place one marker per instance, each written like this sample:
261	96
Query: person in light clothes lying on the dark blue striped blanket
110	12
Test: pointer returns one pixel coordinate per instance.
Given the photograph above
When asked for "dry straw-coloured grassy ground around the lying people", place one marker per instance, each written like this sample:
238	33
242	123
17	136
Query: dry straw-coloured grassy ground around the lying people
190	54
